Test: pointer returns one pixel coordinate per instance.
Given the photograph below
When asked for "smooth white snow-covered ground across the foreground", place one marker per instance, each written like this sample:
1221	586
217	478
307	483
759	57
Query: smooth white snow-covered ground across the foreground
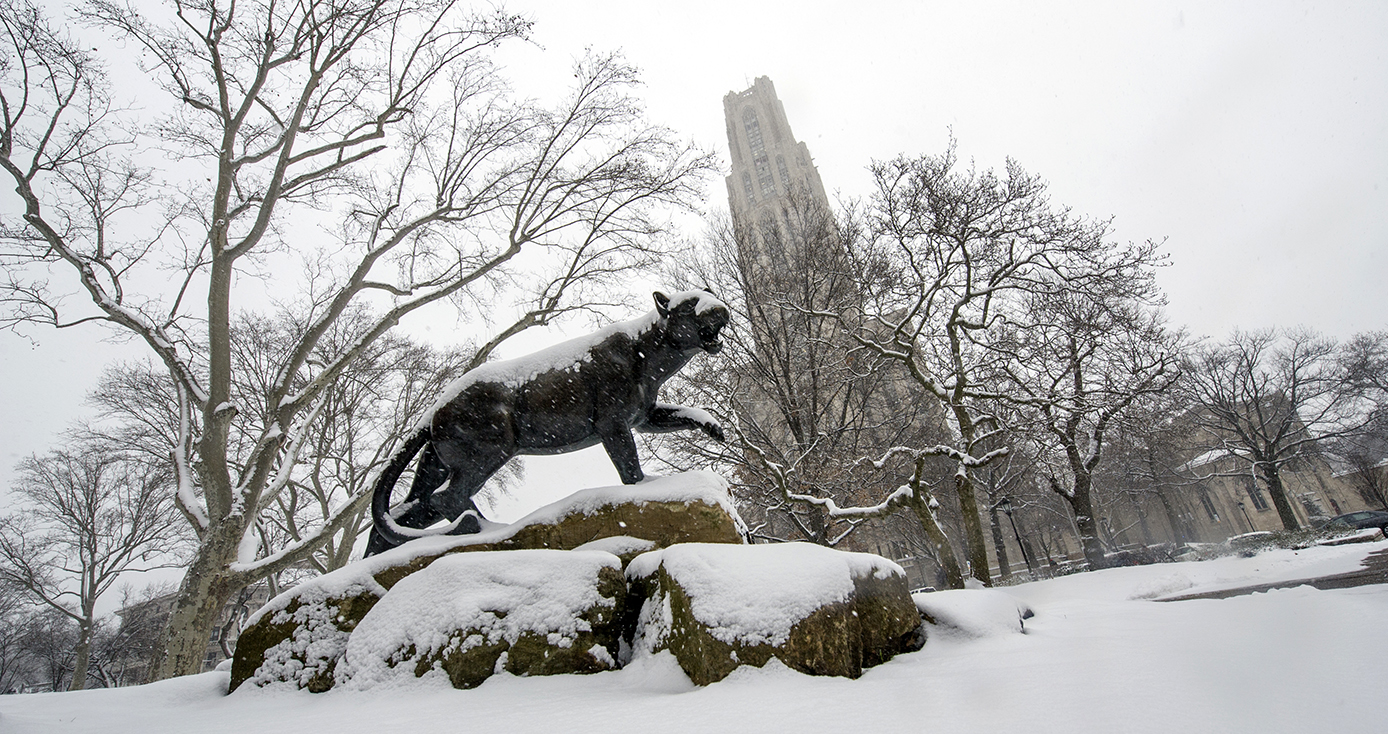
1100	656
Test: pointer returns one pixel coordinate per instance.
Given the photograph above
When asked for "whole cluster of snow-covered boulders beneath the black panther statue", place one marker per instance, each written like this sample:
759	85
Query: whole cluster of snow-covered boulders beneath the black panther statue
584	586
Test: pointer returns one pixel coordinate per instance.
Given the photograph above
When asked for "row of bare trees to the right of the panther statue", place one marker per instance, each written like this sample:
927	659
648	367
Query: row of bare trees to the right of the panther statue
957	346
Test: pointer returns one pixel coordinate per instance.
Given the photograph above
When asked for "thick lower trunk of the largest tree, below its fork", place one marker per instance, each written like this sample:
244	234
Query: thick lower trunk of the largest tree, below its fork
206	589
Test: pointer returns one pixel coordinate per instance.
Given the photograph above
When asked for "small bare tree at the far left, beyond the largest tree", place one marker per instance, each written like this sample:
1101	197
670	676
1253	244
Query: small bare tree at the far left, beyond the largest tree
91	518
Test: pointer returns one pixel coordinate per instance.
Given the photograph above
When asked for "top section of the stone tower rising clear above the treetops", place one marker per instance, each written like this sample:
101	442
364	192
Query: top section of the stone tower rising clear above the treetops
768	163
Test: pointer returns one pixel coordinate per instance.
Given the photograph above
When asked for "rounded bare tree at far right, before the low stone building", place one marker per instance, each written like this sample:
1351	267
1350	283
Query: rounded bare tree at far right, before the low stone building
1273	398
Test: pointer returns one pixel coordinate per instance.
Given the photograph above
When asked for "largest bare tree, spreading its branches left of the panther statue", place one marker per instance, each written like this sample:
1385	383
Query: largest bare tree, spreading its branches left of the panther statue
380	121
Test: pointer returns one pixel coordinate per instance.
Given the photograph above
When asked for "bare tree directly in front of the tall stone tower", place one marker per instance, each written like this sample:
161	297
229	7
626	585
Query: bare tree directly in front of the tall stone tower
799	410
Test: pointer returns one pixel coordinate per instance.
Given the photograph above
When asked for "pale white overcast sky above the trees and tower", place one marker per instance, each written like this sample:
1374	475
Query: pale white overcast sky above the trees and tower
1253	138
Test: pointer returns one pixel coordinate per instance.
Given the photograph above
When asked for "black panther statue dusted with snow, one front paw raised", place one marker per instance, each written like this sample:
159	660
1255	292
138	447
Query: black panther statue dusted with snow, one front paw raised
579	393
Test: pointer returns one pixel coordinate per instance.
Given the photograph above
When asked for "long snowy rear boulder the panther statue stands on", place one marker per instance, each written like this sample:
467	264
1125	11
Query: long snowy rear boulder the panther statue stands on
299	636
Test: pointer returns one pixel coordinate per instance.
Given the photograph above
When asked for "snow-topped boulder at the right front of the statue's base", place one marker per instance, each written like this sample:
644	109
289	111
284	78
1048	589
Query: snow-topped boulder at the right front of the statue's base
817	610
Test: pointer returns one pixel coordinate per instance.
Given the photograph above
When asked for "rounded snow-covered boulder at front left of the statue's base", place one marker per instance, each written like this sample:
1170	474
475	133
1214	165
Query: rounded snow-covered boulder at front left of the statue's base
471	615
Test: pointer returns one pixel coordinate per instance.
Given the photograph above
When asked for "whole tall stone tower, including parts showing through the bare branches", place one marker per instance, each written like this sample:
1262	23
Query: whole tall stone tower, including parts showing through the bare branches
785	228
